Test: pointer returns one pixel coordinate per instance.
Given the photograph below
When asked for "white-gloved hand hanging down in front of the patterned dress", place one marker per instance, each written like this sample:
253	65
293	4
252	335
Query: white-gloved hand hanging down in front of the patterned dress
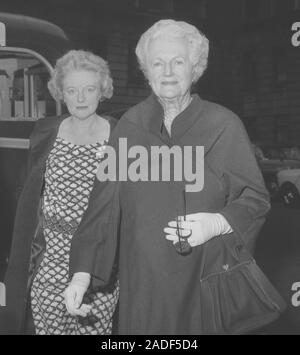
74	294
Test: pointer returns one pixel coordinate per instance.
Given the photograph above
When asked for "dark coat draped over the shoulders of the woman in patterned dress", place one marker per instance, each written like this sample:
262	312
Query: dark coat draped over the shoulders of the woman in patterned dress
28	240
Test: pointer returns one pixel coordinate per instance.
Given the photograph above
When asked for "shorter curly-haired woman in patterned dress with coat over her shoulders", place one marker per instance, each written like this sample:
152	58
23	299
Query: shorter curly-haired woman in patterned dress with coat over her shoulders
64	155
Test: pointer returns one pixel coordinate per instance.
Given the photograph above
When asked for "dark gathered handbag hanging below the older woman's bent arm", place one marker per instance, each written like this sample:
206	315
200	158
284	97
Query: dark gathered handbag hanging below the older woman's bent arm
236	297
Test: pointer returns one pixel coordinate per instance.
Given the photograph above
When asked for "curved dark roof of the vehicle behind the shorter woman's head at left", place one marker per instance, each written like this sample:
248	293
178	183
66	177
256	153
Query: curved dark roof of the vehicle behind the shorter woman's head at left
42	36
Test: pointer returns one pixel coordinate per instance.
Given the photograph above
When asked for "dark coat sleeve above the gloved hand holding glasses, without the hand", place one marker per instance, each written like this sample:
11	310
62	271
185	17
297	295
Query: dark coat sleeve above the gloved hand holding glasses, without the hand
247	198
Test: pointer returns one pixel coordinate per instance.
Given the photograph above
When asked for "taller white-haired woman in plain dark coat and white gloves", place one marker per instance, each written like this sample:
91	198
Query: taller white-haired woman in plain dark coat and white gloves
163	232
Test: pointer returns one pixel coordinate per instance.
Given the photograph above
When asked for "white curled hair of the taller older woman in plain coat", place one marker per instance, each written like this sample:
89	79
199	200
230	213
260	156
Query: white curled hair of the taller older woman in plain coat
198	44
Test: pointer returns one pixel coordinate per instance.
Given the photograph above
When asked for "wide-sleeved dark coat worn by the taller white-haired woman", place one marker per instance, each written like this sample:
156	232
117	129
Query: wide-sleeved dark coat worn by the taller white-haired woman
158	287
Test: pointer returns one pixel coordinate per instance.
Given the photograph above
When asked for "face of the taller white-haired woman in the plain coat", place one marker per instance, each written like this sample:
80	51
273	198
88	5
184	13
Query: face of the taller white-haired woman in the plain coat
170	71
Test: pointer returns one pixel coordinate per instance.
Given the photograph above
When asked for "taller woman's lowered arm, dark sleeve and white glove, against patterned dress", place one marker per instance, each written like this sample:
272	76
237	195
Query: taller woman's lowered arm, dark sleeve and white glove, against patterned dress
94	245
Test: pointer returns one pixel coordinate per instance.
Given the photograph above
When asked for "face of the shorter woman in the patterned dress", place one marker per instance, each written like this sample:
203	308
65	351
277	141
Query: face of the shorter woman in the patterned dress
81	93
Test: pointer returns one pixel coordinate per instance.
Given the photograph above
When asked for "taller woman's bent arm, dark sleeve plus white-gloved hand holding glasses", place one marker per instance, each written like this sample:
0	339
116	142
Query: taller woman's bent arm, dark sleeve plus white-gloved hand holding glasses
247	199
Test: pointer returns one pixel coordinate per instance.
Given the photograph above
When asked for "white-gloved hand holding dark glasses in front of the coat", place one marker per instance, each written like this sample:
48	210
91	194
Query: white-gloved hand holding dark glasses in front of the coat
200	226
